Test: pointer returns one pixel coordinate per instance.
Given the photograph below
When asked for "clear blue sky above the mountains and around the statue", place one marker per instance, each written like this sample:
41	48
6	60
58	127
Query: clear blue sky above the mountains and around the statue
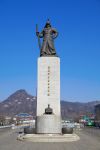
78	46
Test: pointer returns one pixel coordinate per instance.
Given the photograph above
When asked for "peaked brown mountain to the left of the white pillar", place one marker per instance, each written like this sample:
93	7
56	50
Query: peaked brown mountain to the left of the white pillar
18	102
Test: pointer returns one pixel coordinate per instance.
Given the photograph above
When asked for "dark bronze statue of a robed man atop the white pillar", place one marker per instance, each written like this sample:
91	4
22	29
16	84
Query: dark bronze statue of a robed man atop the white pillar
48	34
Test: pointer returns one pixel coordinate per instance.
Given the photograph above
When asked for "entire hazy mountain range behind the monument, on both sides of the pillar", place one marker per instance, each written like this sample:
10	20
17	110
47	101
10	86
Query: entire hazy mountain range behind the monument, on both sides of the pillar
21	101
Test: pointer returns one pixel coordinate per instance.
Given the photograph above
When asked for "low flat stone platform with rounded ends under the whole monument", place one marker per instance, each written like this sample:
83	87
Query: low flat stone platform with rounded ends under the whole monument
49	137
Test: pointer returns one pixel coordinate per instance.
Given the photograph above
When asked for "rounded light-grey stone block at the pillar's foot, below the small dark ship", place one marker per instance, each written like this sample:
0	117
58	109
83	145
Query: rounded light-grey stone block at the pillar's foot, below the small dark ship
48	124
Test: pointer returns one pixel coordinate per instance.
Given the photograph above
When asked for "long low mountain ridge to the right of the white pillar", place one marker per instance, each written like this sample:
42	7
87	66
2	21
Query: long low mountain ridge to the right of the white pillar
75	109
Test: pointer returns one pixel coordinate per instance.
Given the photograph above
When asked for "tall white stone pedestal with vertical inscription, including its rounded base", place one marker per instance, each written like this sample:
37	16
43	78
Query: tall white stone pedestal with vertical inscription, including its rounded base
48	93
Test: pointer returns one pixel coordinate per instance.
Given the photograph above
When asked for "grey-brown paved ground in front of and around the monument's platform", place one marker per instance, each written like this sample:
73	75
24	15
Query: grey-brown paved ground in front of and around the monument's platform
89	140
